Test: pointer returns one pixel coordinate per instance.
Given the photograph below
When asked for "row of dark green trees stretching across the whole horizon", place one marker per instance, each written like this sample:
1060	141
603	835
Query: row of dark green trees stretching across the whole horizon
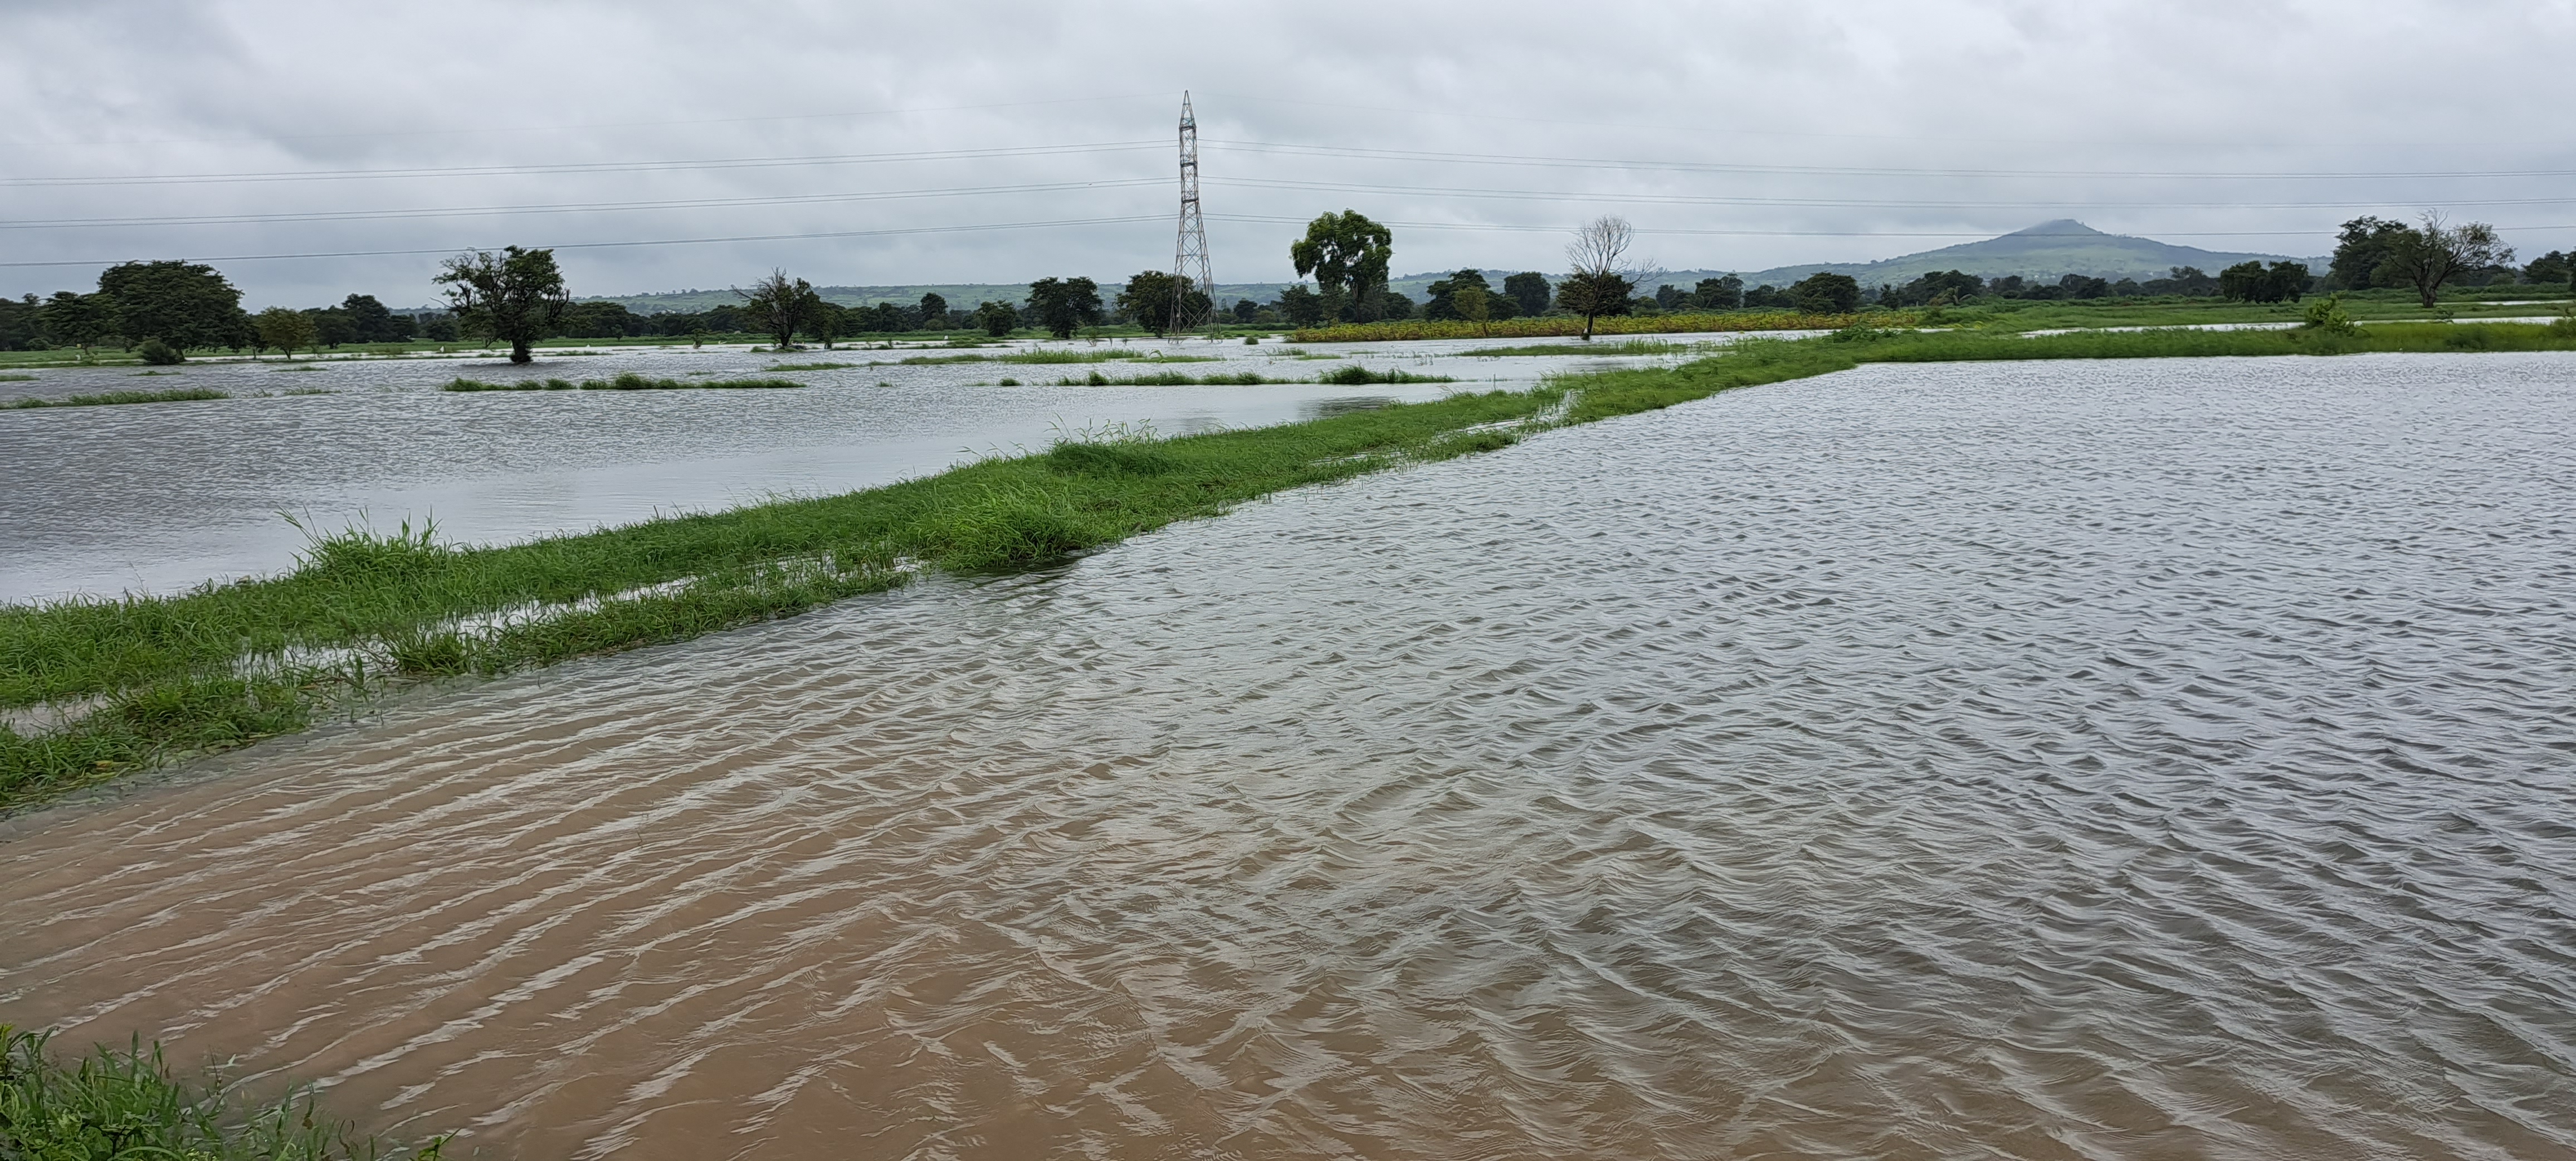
519	295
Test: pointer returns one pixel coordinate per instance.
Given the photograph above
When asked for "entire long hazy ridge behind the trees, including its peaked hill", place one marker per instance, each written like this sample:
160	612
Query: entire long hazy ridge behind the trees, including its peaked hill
2044	254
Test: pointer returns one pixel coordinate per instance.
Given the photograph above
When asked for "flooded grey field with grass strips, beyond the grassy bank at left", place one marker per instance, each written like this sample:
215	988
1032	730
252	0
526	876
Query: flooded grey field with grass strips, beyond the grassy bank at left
164	496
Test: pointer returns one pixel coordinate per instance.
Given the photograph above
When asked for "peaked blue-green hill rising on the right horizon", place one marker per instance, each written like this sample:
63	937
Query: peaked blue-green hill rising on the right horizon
2044	254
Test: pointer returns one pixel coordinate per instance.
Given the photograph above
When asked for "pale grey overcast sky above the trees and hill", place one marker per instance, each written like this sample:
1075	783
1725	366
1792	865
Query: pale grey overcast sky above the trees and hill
1003	143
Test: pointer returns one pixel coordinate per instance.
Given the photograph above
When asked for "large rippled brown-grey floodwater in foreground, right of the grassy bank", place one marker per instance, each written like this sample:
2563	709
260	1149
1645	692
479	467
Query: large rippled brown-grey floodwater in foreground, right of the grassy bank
1928	763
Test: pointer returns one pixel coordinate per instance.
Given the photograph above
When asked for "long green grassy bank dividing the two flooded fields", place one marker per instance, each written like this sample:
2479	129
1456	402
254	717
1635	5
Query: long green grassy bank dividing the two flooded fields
102	689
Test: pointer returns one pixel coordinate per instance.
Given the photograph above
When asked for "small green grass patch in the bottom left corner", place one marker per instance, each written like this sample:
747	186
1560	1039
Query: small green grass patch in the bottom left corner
128	1106
